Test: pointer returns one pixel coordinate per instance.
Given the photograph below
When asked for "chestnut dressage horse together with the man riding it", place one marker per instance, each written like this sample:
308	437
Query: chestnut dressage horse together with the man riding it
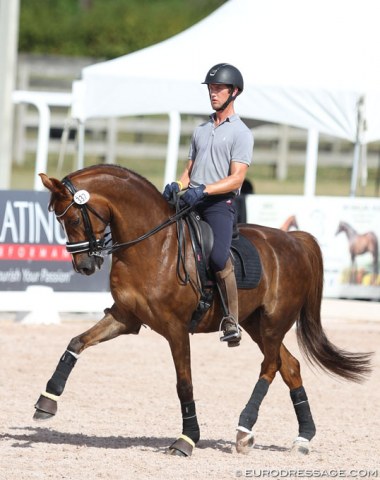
145	244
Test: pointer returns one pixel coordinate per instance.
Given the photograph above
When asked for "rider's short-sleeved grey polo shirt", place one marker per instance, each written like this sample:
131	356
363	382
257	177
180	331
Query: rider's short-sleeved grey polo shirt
212	149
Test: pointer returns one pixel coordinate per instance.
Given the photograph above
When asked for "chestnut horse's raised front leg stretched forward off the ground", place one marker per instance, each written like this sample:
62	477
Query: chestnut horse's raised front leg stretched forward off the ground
107	328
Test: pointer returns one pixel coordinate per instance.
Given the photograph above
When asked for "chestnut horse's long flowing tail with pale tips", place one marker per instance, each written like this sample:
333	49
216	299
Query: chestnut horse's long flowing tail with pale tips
311	336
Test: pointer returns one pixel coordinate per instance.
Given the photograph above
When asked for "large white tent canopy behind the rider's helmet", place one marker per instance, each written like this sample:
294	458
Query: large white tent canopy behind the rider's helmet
307	64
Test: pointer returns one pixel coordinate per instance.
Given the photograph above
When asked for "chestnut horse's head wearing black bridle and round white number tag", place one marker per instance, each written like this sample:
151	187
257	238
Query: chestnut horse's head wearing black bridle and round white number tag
83	221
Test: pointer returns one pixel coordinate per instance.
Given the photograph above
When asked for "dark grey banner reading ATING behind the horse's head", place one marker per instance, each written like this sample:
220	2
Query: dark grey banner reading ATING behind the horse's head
32	247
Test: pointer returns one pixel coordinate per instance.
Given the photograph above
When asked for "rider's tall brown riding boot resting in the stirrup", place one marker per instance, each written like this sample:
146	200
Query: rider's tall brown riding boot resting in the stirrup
229	297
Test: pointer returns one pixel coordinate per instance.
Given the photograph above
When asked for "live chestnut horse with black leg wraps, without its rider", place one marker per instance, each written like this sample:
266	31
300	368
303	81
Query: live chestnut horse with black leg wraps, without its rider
144	229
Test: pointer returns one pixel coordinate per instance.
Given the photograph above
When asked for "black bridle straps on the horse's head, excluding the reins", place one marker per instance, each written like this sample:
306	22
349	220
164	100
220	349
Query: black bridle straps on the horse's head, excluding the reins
93	246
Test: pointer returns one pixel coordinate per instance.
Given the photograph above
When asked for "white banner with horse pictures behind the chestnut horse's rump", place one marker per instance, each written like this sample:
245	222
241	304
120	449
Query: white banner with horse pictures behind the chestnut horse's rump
348	232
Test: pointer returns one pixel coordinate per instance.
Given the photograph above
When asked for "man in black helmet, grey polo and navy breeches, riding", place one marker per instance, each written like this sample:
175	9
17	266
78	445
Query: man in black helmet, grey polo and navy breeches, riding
219	157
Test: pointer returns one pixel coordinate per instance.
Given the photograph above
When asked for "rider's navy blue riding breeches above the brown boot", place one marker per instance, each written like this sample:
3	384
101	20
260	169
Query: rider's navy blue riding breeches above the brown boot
219	212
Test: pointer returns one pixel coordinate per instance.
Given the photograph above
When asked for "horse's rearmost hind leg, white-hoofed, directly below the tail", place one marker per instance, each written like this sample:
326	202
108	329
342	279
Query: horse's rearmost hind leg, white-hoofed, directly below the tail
291	374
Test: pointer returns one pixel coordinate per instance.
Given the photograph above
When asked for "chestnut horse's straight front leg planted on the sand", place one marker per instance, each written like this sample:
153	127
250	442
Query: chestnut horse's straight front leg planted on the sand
180	348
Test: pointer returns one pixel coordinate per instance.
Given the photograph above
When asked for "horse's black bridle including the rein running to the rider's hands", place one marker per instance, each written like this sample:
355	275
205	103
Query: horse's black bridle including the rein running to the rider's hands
94	246
